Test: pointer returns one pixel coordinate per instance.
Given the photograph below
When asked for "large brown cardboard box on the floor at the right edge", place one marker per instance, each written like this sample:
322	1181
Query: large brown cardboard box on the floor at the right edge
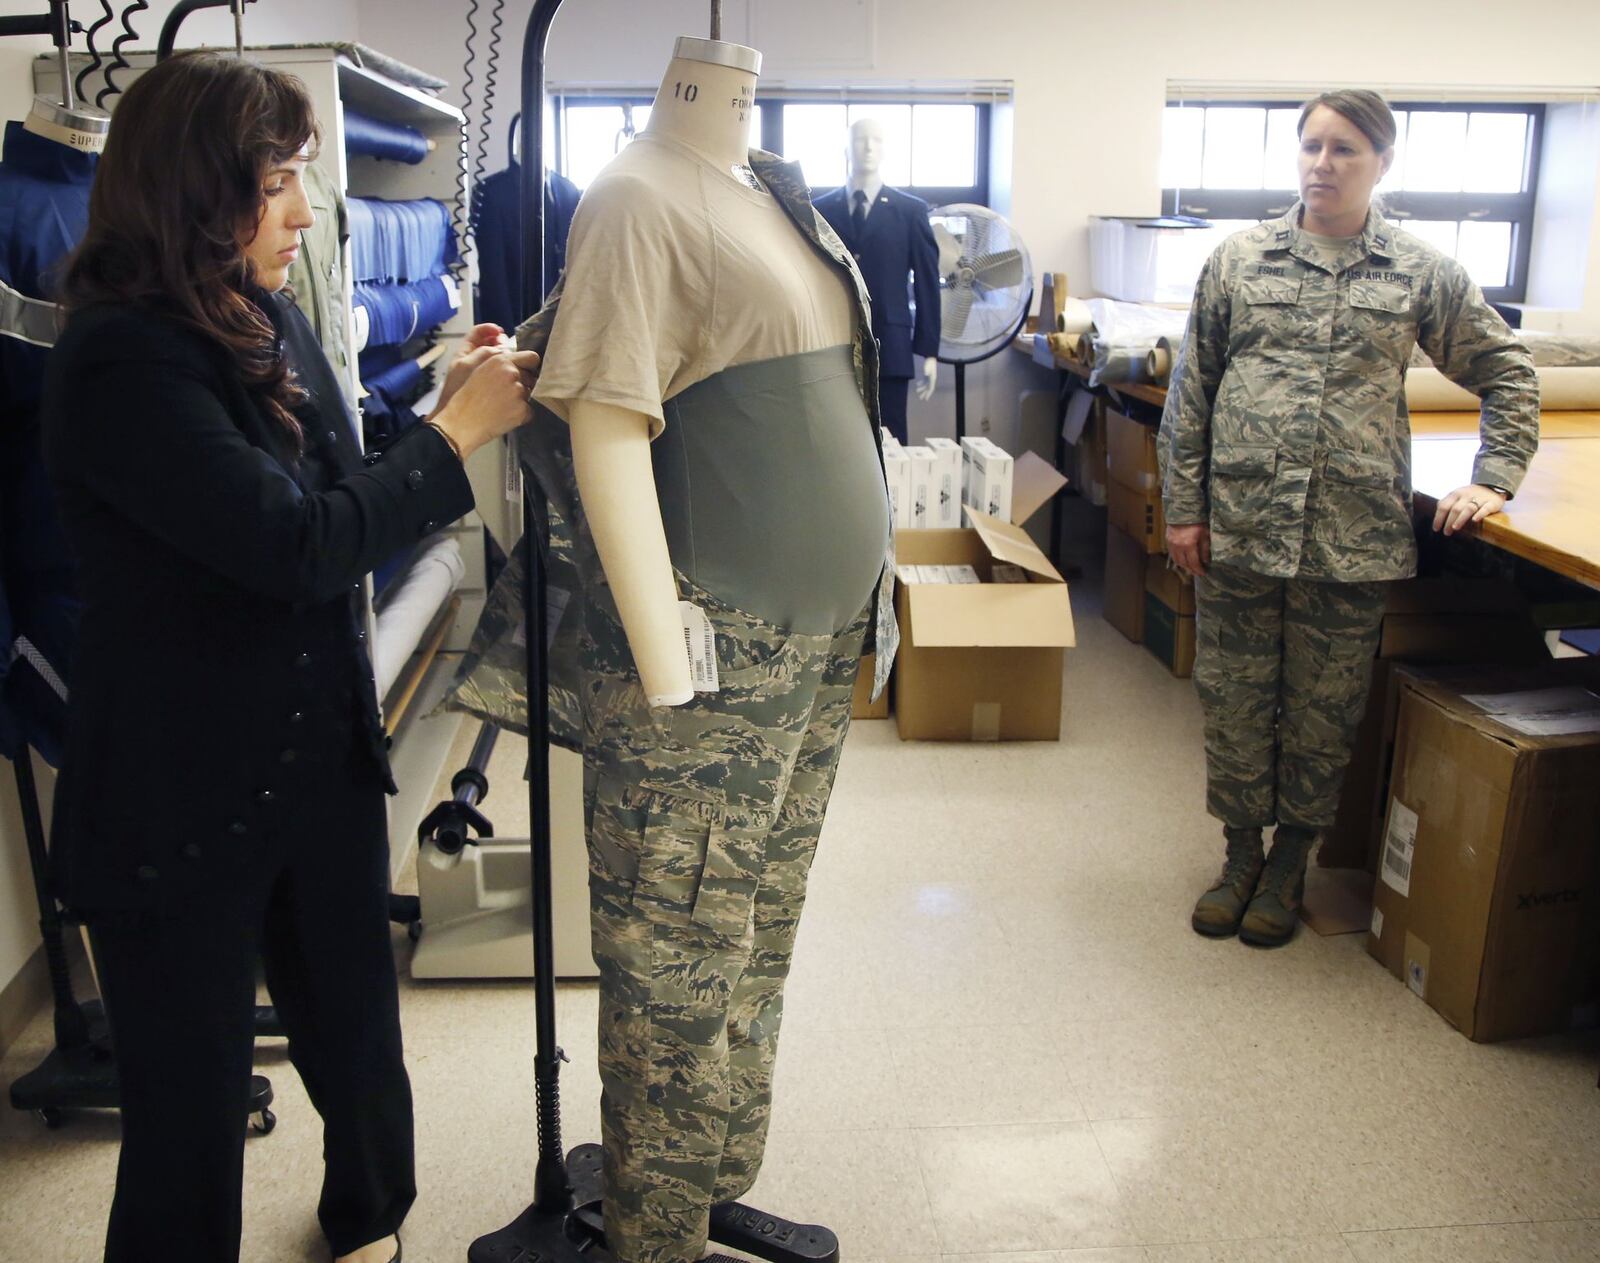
1487	897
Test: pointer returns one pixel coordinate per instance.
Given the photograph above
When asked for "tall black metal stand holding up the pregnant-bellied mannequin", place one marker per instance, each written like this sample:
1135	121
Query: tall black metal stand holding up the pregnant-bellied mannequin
564	1222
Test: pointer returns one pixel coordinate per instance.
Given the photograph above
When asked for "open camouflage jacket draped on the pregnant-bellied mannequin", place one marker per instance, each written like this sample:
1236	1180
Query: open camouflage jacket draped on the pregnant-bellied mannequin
492	681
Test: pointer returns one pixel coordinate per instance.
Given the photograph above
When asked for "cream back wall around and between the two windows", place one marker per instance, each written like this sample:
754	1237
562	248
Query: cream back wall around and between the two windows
1071	63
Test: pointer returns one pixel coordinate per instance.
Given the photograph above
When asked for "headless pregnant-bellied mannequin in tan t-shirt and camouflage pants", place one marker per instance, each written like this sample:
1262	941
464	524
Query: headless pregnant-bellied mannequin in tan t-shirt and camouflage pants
705	356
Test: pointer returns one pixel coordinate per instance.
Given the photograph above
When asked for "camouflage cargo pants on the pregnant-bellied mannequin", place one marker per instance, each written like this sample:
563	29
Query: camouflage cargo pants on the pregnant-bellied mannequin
703	822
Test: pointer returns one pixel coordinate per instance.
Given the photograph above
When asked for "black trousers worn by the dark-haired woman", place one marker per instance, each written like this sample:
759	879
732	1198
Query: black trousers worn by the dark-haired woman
311	904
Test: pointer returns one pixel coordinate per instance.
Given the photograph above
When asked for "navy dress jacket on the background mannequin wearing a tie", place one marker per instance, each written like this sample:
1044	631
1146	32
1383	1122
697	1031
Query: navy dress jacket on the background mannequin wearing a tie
898	243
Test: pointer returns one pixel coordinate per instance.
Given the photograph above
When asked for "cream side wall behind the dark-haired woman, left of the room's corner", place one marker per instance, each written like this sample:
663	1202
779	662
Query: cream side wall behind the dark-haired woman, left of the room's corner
278	22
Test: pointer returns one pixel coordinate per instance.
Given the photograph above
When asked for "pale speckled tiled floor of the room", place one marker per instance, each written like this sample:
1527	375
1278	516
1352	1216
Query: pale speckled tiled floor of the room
1004	1044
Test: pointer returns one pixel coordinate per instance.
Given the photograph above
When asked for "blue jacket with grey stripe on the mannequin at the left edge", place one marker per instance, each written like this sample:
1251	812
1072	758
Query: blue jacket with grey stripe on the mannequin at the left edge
44	210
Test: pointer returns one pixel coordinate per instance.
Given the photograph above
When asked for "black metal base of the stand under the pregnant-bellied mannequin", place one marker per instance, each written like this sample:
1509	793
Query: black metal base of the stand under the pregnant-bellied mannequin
580	1235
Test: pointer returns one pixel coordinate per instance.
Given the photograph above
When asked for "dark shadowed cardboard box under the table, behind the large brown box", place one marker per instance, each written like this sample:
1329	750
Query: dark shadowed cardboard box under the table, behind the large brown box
1436	622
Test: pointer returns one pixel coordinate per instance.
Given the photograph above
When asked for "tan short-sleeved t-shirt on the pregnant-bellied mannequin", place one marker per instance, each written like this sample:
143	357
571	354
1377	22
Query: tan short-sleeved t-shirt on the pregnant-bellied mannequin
674	273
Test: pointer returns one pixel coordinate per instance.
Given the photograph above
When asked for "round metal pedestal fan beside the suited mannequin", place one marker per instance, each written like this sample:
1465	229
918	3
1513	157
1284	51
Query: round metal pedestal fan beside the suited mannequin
986	289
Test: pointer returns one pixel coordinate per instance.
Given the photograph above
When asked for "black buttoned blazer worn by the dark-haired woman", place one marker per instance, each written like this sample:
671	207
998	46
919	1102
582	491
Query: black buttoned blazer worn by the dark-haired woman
220	638
